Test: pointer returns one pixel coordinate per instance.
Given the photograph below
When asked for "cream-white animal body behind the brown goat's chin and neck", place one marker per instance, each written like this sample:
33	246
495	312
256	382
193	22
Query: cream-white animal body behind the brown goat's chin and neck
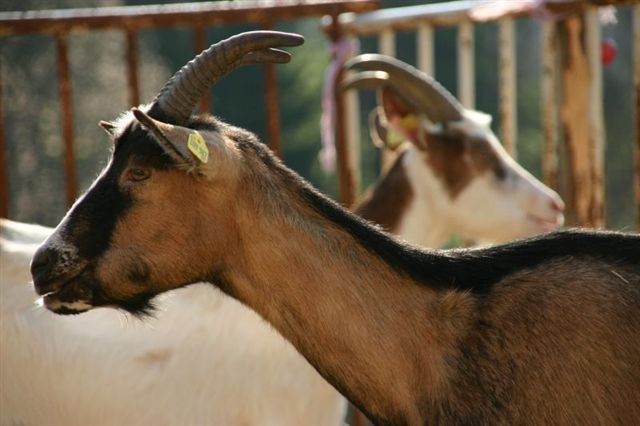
205	360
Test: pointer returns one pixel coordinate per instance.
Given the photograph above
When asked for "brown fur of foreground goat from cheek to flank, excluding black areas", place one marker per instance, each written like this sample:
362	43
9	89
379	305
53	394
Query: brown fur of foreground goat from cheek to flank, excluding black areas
403	352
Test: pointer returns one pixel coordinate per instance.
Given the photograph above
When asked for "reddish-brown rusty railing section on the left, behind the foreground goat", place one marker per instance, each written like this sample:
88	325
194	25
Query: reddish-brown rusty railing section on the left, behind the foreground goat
131	19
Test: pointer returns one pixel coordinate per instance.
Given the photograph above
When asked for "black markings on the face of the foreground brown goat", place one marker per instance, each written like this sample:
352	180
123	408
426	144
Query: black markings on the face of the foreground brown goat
91	223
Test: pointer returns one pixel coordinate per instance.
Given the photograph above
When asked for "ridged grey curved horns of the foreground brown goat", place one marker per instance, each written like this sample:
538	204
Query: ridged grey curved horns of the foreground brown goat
181	93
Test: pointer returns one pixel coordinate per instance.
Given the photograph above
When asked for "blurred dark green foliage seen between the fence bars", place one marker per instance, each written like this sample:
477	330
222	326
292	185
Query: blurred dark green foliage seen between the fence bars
33	134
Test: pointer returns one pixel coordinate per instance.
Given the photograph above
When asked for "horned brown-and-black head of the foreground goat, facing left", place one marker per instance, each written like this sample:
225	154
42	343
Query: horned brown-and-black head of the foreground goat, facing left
109	250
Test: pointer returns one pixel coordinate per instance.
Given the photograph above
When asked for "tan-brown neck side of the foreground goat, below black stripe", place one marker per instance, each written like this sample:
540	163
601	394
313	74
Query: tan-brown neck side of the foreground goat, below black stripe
347	311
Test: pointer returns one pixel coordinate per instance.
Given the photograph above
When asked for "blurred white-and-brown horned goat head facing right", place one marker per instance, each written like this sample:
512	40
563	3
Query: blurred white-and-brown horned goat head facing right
456	165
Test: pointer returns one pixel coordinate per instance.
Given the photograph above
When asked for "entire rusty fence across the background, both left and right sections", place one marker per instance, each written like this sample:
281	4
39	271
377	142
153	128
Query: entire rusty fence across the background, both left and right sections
569	50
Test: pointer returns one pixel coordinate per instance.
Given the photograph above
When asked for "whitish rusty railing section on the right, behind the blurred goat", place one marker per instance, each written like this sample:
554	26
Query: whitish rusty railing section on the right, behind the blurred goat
570	85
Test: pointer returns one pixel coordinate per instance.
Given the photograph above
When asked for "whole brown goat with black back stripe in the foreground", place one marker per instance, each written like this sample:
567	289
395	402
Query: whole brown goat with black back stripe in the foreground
541	331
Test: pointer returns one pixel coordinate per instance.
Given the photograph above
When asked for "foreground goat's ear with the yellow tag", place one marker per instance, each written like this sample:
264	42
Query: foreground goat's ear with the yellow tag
183	145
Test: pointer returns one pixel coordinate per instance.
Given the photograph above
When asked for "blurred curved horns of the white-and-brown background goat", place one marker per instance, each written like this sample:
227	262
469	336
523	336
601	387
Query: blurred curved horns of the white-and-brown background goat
425	93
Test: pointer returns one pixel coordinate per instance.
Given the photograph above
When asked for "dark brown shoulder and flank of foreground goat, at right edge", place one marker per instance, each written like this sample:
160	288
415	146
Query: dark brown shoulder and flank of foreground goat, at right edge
558	352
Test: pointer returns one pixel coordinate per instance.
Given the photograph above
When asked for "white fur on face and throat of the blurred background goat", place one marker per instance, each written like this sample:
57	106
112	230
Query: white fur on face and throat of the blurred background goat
487	210
